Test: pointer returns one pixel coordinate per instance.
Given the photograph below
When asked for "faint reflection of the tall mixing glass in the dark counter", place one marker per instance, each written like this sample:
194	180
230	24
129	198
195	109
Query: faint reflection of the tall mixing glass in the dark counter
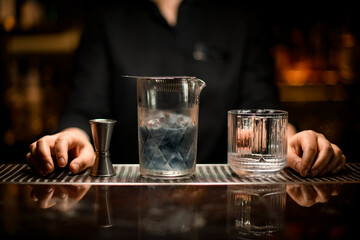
168	211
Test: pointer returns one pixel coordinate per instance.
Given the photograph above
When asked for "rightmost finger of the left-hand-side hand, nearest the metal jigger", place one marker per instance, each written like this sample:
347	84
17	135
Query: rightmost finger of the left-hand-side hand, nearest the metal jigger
85	159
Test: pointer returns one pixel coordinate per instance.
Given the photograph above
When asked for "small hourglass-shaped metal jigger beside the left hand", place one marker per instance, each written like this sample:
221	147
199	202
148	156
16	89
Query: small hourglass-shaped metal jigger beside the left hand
101	131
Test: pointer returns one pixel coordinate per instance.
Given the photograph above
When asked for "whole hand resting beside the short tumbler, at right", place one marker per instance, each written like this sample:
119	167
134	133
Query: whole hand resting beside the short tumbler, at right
310	153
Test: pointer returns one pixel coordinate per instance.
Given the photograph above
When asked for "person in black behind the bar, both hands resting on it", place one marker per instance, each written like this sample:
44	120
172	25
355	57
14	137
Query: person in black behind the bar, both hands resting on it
223	43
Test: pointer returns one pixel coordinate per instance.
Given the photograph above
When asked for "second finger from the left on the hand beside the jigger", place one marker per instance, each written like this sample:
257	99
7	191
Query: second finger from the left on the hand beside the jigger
43	155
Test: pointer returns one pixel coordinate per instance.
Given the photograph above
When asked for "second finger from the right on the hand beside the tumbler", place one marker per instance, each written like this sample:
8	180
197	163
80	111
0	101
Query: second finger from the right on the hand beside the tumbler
325	152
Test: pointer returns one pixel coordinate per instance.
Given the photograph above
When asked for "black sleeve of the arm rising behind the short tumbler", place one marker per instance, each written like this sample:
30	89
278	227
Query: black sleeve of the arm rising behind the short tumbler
258	89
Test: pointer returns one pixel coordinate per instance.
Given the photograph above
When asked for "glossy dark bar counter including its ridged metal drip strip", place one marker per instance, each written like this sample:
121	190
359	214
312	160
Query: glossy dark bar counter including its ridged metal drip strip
213	204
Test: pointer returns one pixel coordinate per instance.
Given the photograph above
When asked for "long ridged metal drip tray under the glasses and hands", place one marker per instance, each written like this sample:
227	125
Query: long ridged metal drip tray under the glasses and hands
206	174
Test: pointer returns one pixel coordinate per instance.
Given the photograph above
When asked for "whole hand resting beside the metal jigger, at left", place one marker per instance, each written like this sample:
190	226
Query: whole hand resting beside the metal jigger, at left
71	145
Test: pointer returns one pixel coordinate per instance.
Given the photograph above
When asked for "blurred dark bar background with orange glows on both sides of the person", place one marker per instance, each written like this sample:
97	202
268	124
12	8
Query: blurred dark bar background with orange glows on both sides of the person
315	47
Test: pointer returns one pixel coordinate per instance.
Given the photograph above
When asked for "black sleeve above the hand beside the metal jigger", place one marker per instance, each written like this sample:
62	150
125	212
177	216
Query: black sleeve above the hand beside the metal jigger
89	95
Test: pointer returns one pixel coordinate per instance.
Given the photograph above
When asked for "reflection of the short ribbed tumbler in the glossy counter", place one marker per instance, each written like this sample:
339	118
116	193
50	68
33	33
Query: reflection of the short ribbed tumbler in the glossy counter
255	211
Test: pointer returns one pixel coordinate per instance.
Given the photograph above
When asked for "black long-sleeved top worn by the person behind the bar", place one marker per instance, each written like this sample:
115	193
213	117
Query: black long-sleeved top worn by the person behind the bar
221	42
